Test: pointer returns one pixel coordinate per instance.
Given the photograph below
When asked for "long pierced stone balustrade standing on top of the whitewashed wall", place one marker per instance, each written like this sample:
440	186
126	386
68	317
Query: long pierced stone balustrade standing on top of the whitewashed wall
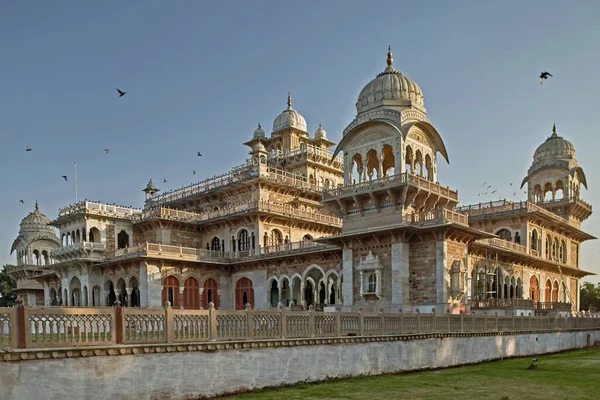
65	327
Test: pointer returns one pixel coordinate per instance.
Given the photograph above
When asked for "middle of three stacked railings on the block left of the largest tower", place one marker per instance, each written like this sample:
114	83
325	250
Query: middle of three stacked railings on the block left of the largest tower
235	209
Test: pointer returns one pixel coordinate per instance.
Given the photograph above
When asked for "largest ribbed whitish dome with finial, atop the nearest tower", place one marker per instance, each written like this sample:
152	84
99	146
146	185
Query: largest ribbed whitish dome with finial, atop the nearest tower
390	89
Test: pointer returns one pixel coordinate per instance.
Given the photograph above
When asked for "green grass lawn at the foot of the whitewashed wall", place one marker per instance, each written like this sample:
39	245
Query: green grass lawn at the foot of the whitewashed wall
573	375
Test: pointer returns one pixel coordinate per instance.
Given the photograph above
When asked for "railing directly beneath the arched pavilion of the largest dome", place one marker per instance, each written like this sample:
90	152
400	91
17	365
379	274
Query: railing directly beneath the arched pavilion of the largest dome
389	182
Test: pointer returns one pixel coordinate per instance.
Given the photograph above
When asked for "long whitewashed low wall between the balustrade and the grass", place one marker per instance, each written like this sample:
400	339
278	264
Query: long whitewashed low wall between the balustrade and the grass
187	371
